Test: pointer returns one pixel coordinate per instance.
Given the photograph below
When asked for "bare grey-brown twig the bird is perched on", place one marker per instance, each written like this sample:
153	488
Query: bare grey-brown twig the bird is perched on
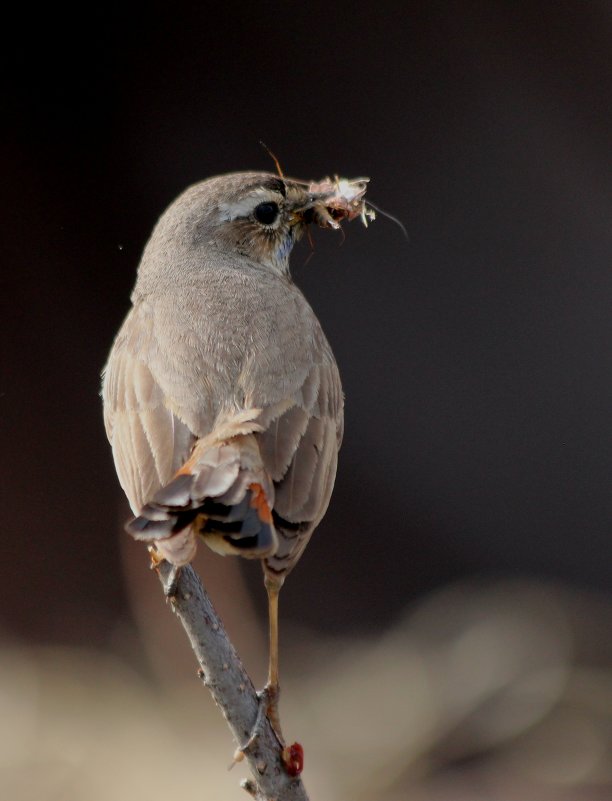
222	672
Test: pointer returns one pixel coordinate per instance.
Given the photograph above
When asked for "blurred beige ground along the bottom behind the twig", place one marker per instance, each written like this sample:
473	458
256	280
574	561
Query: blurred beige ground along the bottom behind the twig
481	691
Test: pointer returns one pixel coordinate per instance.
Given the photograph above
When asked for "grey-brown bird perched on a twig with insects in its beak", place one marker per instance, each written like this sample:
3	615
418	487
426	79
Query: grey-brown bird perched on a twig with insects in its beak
222	399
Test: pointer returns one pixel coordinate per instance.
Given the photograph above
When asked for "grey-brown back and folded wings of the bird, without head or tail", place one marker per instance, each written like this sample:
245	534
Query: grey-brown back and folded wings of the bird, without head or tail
221	341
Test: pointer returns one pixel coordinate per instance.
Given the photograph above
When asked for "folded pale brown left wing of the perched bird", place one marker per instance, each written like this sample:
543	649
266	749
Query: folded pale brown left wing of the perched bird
148	440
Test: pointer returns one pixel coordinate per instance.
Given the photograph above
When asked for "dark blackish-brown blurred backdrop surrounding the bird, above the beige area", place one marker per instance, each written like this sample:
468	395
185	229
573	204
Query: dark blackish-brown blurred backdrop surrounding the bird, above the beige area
476	356
